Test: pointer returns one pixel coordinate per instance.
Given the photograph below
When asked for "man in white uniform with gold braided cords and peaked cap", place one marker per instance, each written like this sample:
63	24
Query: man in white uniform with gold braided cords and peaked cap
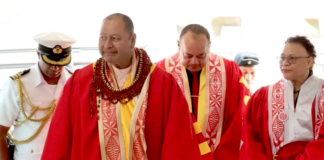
28	98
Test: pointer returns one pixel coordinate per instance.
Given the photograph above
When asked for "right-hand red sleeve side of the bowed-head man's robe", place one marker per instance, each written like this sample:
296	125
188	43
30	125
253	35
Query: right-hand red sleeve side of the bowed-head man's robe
229	145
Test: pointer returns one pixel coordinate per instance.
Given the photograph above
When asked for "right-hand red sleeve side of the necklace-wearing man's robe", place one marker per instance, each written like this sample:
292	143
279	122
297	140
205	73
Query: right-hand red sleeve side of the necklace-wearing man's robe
173	128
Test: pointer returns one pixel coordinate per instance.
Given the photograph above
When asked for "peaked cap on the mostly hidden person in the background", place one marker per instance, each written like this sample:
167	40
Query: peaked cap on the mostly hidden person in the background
247	59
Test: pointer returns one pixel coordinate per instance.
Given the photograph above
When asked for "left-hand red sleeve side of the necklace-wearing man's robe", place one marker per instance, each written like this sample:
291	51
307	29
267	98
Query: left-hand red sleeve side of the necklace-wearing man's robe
73	134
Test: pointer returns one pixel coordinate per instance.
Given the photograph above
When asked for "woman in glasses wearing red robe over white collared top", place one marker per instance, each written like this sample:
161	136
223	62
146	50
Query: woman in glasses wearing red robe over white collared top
285	120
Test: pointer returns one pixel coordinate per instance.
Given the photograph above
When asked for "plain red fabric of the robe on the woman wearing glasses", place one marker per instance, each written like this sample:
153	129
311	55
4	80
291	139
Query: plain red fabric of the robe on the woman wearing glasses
257	141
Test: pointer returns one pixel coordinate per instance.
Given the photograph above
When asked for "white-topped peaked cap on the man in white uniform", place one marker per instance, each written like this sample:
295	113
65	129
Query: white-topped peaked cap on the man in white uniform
55	48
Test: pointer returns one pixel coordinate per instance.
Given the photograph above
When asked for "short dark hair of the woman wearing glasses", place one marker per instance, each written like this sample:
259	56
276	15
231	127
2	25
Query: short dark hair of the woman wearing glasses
304	41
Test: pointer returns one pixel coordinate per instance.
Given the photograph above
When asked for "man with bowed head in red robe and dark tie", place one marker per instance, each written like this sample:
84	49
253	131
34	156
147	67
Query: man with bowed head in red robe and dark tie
214	88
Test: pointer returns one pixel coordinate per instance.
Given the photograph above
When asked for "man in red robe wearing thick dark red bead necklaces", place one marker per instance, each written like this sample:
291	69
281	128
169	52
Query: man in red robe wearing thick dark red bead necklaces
122	107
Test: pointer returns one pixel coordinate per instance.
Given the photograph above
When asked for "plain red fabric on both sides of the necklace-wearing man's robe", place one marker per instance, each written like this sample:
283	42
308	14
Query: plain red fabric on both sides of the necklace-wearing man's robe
169	132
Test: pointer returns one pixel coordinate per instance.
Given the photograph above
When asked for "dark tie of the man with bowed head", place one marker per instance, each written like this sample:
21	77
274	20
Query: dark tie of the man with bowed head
195	92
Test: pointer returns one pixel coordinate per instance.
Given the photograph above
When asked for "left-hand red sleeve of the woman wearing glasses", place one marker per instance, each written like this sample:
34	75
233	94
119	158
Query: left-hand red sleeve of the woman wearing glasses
257	140
